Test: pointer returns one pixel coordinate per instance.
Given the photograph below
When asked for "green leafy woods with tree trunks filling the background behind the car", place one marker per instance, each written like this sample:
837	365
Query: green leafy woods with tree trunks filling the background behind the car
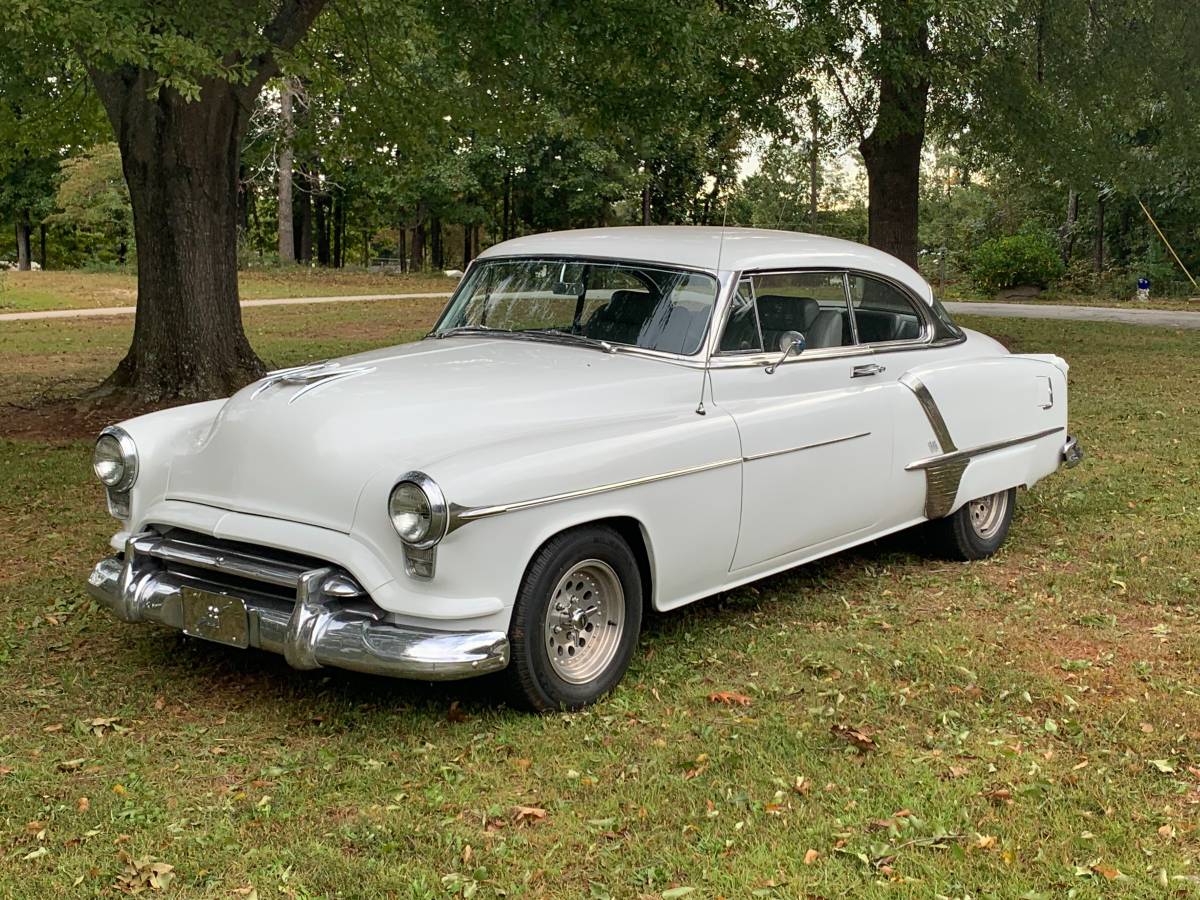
406	137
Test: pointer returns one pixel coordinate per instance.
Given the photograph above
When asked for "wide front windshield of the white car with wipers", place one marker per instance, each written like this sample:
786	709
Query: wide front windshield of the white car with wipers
623	304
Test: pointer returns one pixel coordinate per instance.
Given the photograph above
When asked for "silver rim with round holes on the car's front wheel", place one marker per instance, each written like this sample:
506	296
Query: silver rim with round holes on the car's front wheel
585	622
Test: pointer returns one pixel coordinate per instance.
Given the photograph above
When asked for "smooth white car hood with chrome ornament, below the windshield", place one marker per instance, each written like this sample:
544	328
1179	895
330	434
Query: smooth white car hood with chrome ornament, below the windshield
302	445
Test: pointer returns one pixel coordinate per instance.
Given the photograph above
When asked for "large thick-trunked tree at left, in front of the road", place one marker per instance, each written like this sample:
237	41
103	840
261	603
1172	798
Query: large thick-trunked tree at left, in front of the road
178	82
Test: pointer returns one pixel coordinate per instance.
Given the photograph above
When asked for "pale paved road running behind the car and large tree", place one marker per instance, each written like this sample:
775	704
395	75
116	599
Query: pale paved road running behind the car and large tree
1161	319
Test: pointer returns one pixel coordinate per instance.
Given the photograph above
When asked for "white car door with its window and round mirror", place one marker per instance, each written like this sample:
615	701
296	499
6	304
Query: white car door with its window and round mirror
817	430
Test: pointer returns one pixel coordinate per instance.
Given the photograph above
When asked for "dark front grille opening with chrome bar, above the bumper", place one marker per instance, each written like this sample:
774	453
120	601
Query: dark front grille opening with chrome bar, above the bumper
229	566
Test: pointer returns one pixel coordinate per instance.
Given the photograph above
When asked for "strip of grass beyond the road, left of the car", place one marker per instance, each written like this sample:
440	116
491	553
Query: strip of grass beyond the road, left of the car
29	292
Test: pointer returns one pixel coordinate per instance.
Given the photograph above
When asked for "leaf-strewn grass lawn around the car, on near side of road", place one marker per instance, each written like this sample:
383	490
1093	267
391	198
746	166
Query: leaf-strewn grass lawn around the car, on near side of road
1036	718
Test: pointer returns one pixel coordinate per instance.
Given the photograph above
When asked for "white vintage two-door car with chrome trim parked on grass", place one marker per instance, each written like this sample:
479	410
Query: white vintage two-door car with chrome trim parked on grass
601	422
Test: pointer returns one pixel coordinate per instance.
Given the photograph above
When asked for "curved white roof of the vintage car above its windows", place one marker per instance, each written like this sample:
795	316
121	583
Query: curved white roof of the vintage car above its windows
716	249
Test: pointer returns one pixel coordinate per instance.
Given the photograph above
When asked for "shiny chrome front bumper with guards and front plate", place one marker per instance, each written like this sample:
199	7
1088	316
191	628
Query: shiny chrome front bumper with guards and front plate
332	621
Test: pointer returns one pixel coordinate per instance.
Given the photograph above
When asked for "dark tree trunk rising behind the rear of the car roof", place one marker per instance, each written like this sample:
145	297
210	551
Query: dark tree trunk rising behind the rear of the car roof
892	152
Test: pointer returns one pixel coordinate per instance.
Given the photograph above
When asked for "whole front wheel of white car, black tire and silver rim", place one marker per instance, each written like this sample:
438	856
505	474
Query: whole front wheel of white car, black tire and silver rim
575	622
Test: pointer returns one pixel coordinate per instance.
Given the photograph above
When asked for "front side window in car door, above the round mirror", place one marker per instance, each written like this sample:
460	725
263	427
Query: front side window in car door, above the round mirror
811	303
